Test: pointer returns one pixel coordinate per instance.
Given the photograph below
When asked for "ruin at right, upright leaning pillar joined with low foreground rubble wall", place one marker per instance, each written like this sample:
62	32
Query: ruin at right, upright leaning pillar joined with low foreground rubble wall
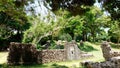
112	58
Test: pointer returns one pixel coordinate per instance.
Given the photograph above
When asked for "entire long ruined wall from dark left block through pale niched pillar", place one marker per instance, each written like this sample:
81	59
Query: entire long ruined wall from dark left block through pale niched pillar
20	53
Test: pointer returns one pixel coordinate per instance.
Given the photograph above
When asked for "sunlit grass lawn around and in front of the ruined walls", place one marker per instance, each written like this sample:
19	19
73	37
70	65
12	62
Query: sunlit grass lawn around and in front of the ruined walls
95	50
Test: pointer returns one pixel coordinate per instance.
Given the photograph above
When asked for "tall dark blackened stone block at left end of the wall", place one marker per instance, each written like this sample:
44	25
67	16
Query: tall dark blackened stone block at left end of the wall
22	54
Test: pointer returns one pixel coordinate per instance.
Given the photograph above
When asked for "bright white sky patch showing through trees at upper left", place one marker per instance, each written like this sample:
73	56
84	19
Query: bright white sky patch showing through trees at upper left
41	10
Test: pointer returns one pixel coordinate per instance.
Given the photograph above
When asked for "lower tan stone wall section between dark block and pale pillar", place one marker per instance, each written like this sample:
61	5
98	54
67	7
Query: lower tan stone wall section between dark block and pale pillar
56	55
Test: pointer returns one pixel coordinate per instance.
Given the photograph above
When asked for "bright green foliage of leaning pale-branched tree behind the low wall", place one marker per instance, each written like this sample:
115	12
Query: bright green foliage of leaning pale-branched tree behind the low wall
49	31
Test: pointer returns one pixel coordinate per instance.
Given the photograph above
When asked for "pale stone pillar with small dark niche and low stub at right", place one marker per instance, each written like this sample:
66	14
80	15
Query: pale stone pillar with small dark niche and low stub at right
73	52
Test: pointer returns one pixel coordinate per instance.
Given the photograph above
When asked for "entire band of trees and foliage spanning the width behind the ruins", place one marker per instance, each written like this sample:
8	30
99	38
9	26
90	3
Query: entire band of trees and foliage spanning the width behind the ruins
73	20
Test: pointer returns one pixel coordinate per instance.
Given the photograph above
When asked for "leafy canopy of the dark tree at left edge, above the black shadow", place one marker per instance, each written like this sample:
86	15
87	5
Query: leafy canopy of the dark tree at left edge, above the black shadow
13	18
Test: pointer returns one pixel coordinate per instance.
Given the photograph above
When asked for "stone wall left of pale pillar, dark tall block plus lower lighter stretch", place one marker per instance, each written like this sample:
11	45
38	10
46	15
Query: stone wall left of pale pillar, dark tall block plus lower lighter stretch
27	54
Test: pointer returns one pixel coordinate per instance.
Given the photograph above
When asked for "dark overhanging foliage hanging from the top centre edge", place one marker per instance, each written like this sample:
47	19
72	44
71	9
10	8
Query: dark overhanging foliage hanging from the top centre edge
74	6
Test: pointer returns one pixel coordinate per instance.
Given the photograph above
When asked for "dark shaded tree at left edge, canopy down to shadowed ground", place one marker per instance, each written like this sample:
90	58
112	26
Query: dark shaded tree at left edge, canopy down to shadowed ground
13	21
